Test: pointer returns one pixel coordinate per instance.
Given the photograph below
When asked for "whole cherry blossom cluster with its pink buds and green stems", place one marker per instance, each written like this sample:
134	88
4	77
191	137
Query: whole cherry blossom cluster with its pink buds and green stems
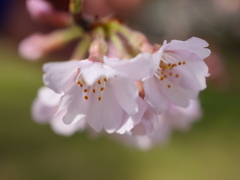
116	81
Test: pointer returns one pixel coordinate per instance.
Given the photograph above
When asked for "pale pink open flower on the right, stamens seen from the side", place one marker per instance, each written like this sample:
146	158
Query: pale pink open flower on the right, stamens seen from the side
180	73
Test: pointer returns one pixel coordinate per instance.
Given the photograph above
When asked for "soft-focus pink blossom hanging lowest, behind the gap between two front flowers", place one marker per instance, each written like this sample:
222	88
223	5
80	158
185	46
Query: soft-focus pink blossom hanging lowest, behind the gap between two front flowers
148	129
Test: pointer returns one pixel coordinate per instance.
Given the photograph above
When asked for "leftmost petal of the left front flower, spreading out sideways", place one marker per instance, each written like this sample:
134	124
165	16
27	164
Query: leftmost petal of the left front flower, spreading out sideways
57	74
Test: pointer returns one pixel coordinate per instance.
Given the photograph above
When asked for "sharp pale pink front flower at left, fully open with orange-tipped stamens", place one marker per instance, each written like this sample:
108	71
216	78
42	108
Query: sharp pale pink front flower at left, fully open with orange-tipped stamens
103	93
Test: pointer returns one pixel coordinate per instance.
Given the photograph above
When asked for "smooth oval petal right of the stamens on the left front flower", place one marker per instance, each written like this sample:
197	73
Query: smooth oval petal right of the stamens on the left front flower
126	93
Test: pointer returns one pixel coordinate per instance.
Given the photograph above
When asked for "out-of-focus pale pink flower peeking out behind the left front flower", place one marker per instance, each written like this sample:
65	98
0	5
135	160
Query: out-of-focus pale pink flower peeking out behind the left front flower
44	108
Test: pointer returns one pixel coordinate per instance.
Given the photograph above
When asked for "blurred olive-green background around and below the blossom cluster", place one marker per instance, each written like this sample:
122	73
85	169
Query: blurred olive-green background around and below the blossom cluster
28	151
